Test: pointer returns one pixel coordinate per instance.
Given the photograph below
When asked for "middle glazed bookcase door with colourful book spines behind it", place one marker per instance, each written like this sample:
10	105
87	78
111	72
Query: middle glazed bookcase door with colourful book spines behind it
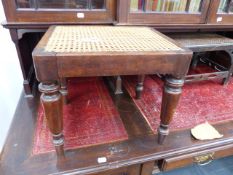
167	11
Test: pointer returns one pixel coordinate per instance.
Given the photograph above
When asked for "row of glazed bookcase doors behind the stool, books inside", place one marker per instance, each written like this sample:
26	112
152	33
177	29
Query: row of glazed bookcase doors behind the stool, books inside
130	12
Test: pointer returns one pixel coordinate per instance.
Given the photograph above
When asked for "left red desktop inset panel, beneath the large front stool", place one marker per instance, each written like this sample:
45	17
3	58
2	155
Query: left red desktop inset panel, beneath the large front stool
89	119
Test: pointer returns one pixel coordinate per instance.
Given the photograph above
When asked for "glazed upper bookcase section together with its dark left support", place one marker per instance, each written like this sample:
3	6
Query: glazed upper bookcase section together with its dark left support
28	20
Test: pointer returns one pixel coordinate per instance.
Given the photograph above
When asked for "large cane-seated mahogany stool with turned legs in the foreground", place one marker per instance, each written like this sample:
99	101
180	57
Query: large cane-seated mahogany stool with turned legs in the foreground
78	51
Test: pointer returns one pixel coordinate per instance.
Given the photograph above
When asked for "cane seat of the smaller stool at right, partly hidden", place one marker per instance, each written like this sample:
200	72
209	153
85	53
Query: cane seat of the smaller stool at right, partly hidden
195	40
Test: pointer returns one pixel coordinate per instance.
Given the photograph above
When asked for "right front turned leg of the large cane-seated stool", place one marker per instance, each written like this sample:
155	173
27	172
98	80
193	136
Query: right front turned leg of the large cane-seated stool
171	95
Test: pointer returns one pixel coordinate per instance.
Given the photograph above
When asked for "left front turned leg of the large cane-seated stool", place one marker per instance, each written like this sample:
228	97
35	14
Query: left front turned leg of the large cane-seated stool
52	105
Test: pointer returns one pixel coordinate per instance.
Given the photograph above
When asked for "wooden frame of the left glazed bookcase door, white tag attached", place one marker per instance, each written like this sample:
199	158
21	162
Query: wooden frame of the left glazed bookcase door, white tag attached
14	14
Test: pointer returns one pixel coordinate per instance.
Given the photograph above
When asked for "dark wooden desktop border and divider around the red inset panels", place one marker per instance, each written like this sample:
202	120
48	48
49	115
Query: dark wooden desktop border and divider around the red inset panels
141	147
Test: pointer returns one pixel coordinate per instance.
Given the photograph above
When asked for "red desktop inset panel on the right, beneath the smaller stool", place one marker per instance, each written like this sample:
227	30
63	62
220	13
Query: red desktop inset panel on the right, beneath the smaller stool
203	101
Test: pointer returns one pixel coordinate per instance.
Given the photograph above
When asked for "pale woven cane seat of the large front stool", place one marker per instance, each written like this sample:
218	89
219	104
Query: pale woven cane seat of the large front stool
86	39
